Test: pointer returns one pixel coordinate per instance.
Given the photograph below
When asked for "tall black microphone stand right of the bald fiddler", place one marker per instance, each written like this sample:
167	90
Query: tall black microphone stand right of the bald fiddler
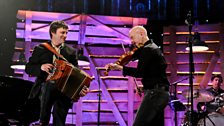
188	21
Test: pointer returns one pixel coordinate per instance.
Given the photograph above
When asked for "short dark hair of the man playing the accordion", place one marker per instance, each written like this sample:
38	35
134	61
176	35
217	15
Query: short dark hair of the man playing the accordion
56	25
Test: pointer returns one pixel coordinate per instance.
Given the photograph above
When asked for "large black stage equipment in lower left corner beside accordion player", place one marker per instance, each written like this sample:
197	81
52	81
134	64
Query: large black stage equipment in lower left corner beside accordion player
15	108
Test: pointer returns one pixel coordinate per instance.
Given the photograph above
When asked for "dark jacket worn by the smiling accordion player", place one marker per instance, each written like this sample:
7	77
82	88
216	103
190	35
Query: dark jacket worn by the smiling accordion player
40	56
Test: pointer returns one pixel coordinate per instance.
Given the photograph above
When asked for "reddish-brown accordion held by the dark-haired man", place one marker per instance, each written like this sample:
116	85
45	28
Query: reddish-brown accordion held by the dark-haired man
69	79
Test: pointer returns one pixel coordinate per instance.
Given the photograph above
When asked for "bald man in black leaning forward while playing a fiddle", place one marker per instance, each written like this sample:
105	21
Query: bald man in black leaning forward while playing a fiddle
152	69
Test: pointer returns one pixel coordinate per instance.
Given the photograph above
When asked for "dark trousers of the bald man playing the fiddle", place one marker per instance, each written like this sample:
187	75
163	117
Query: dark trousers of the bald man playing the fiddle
151	108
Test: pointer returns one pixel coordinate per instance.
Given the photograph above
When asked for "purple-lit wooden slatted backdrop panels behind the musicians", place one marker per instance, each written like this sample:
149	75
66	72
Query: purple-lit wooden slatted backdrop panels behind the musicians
101	37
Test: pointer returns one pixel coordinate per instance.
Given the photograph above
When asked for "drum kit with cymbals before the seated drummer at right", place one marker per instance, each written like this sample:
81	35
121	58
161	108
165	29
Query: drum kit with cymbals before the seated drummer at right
213	117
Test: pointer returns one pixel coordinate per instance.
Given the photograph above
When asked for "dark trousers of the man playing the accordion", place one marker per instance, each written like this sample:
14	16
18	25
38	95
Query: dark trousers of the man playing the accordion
52	97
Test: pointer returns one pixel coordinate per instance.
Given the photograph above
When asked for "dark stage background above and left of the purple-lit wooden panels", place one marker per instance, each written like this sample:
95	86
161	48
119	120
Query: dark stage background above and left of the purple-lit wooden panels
158	12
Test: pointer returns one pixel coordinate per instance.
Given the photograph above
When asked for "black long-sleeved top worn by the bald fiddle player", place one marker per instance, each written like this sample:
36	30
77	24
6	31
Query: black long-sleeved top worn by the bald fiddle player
151	66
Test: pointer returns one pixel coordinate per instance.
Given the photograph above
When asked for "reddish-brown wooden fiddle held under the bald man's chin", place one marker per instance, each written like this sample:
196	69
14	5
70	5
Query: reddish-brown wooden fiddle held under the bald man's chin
123	59
